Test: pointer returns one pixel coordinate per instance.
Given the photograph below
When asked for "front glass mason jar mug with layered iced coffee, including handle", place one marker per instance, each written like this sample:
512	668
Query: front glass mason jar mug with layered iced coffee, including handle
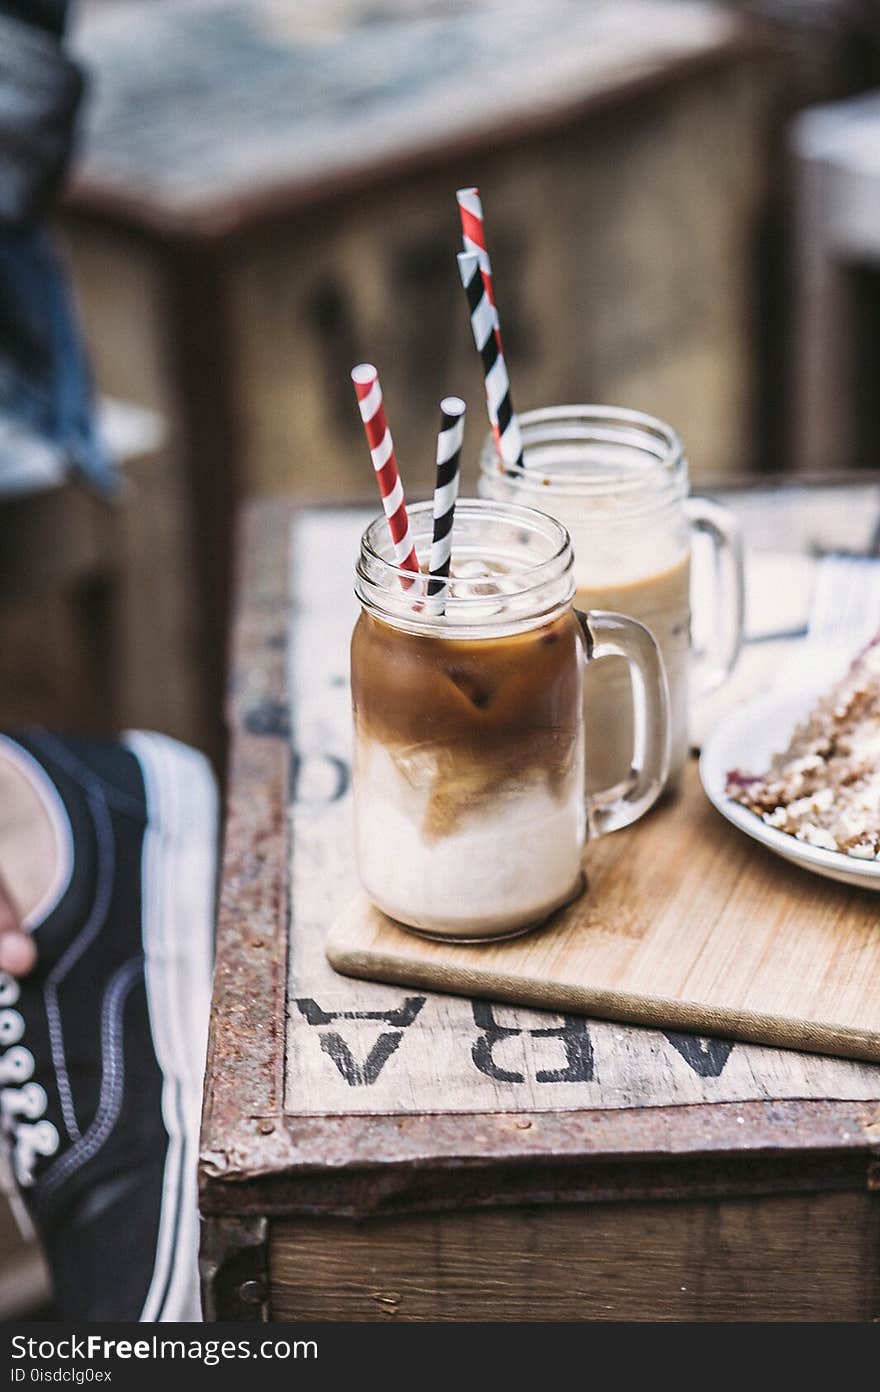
469	712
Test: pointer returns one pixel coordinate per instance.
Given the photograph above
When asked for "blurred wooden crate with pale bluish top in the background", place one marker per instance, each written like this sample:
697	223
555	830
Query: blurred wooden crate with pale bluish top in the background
297	214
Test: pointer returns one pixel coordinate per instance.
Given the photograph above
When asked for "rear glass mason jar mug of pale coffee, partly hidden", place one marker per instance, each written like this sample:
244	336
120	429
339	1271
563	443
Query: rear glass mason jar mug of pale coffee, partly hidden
619	482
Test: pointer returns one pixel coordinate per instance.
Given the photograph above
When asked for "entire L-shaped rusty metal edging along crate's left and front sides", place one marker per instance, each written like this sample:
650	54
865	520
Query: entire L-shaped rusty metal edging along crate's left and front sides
258	1159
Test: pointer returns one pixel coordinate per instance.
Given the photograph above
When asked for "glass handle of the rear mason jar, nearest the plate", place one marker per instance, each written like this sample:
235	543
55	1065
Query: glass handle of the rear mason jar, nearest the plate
721	527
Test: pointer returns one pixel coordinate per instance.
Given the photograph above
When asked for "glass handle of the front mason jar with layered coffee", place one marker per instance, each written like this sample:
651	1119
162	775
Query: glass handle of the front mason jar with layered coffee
615	635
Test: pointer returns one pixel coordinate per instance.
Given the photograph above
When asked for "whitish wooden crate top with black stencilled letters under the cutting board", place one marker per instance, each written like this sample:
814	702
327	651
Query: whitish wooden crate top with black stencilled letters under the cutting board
357	1047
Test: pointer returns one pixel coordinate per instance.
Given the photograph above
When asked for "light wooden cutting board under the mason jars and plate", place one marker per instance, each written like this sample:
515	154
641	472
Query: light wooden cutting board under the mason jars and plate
686	925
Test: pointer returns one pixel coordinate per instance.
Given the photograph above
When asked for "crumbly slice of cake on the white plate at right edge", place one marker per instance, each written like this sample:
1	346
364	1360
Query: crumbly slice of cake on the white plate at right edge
825	789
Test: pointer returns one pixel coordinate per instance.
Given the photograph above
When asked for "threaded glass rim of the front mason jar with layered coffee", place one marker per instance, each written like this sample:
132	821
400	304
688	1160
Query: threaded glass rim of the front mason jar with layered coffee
533	595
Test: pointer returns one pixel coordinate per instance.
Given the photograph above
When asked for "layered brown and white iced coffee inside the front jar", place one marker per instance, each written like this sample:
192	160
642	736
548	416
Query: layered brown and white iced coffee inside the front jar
470	755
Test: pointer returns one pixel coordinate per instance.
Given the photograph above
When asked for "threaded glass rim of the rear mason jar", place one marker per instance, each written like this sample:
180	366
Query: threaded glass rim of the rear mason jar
647	436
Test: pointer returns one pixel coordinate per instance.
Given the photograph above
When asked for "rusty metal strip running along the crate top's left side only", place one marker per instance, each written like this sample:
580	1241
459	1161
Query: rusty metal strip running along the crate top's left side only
246	1053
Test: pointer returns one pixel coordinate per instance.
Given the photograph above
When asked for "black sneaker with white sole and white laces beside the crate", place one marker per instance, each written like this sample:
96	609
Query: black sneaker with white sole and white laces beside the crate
102	1047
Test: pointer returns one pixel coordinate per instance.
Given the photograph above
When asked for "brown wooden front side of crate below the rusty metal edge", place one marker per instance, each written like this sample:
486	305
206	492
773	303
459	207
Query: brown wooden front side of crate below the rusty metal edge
793	1258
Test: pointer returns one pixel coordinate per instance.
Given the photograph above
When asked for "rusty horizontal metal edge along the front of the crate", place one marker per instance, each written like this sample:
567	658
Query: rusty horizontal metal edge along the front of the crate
360	1166
